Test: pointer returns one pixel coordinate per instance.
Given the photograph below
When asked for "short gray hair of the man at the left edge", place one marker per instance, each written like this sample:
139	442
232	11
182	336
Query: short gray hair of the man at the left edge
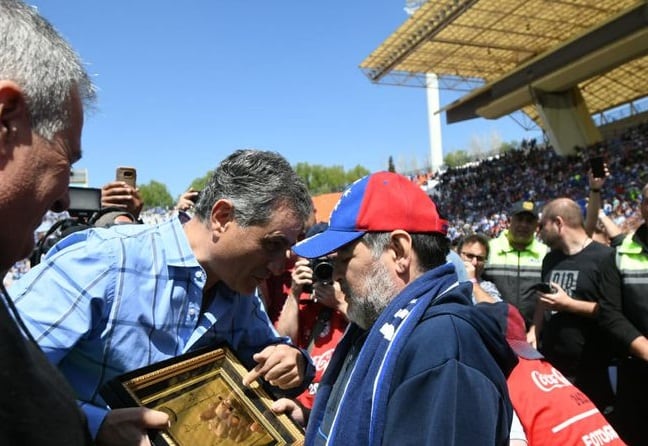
43	64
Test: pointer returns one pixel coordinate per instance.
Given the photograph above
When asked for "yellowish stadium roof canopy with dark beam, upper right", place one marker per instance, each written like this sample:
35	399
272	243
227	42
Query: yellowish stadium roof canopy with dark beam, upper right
501	51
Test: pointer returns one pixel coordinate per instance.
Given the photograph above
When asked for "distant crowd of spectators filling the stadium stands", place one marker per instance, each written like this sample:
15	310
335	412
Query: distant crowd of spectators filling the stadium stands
475	197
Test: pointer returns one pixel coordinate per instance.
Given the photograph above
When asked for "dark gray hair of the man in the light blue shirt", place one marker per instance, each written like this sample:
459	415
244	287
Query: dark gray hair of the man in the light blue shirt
257	183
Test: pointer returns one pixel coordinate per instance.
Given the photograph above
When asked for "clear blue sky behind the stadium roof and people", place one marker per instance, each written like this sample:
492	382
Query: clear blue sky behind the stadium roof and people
183	84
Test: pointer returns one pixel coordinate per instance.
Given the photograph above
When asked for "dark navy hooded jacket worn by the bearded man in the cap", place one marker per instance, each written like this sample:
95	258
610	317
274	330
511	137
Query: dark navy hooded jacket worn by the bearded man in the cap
447	385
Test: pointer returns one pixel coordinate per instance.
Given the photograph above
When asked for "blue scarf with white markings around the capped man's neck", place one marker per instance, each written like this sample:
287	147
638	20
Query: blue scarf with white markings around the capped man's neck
360	416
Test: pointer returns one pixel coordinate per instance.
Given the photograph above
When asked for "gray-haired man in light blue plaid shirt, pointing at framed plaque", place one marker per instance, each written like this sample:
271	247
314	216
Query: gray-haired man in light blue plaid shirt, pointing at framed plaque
107	301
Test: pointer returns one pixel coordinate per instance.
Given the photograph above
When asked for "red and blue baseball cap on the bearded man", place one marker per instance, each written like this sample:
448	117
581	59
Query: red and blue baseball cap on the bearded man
380	202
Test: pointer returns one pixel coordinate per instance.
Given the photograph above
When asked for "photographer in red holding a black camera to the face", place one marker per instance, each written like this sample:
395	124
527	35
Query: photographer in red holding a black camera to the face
314	313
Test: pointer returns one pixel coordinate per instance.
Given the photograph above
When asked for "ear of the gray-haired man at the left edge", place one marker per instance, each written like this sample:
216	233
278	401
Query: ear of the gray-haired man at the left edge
15	122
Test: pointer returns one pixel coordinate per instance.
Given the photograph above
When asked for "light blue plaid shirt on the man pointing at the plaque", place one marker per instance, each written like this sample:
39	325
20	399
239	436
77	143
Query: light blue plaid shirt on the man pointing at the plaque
107	301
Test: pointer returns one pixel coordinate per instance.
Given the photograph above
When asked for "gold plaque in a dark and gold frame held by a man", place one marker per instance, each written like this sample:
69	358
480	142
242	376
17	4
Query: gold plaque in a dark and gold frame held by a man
206	402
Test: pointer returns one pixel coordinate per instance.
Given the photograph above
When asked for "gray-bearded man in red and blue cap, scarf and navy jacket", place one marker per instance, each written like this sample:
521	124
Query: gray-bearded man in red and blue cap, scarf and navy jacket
419	364
